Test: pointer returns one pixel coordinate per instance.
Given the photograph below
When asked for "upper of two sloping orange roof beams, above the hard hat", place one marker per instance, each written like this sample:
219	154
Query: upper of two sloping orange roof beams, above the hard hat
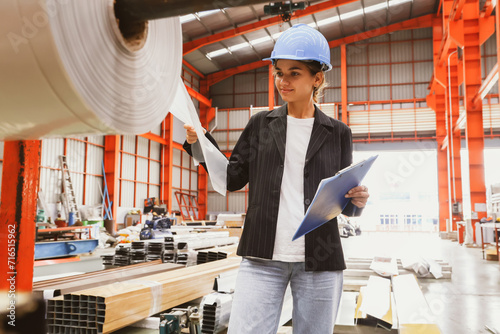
245	29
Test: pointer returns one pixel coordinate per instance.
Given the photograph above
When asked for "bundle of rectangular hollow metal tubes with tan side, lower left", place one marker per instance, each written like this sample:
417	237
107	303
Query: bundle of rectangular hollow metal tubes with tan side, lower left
113	306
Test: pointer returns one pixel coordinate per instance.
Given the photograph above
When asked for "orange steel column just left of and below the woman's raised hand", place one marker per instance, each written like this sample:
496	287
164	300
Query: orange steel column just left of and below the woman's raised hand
166	162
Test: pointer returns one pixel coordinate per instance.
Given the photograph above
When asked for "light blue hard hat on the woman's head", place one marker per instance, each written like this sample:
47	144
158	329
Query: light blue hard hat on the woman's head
302	42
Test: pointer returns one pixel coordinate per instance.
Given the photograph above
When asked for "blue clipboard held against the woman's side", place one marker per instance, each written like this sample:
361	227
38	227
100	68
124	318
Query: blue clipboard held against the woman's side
330	200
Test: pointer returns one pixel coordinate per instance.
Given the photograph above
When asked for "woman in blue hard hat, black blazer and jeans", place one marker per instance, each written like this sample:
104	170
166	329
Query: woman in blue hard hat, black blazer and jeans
283	155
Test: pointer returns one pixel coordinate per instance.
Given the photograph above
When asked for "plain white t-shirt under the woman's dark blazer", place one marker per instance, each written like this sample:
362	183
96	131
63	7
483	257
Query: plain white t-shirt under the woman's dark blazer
291	208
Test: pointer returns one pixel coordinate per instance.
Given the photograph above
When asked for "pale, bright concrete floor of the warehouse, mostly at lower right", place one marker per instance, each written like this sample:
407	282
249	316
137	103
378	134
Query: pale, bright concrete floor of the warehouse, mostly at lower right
462	305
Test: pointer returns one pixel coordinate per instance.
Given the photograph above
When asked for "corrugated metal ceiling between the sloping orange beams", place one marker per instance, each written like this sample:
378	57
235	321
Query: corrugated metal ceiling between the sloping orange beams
338	22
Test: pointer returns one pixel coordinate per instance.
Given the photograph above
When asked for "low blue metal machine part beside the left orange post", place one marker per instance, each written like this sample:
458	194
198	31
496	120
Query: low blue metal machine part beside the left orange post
50	249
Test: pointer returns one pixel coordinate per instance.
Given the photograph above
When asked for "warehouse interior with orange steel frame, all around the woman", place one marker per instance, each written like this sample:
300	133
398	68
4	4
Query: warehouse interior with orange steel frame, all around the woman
109	225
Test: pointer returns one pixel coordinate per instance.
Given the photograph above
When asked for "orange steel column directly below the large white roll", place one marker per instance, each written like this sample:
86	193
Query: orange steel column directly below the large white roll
111	166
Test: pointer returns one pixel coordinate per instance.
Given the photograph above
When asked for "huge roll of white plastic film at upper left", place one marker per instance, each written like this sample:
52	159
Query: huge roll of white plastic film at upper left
65	69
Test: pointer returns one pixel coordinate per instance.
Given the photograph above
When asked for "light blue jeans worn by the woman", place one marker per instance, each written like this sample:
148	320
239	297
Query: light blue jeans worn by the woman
259	292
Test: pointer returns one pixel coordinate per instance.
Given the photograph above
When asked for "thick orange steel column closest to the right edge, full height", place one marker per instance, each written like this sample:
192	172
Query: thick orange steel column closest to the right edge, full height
474	129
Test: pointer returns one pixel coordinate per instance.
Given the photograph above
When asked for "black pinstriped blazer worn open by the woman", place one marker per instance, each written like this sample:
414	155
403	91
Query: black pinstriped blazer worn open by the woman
258	159
